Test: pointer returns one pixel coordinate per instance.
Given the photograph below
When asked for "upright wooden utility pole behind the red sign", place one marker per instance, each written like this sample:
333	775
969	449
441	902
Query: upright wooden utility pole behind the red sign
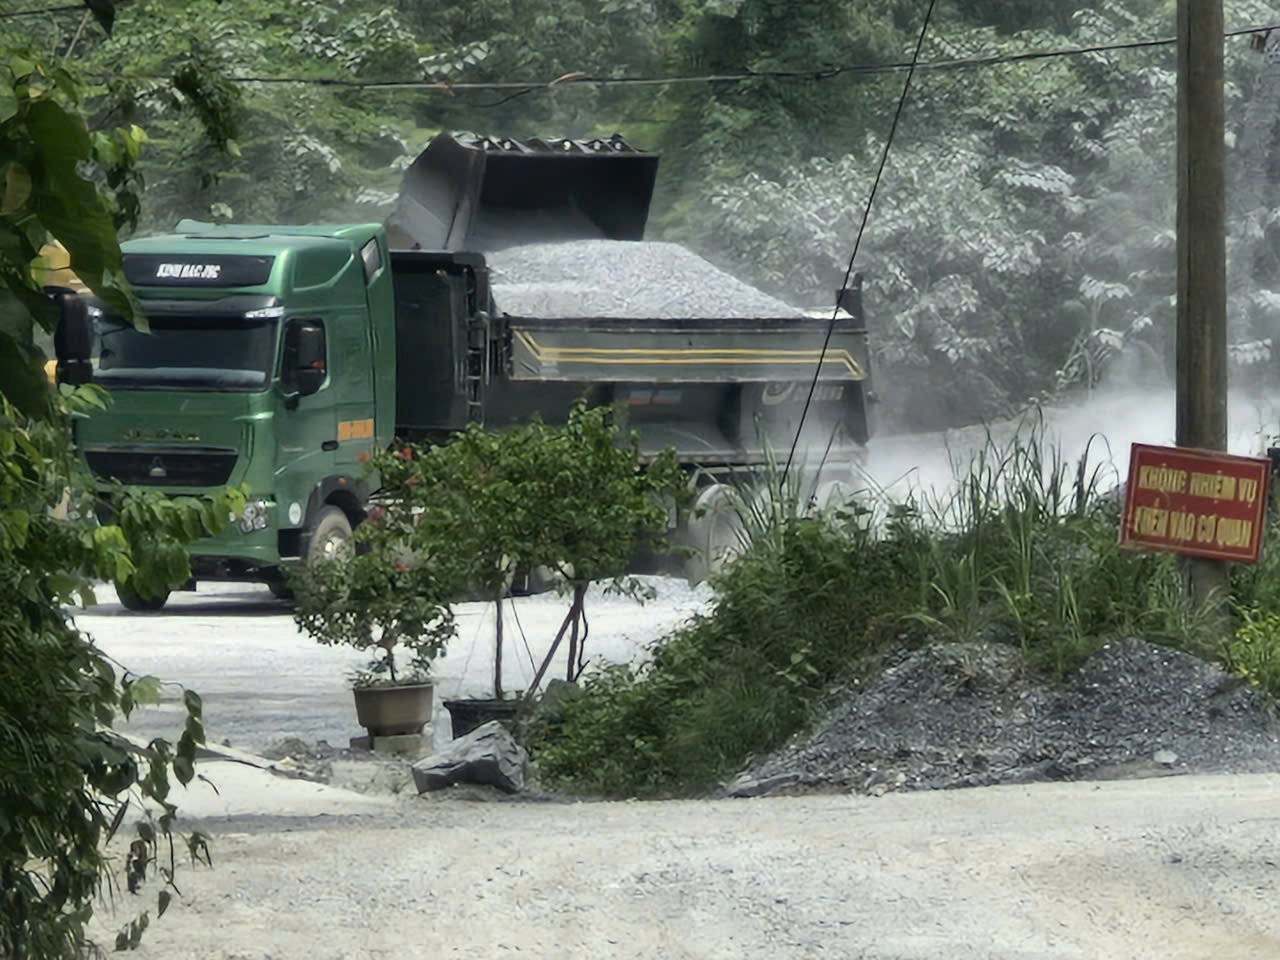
1201	250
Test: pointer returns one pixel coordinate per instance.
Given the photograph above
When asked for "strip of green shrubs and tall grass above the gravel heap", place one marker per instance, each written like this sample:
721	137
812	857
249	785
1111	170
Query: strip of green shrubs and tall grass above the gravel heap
1021	550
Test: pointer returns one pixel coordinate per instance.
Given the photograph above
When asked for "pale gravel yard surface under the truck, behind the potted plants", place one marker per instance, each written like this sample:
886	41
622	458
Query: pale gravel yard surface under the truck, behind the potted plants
263	682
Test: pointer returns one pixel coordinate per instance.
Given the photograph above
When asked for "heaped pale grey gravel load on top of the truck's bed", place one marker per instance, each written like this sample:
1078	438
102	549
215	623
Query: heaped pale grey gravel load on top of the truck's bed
623	280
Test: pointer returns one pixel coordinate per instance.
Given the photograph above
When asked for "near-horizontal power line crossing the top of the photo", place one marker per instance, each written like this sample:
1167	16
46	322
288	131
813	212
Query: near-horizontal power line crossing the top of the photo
811	74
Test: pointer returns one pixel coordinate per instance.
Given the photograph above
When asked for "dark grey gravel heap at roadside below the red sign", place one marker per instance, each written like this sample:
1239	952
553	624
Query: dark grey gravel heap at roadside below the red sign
966	715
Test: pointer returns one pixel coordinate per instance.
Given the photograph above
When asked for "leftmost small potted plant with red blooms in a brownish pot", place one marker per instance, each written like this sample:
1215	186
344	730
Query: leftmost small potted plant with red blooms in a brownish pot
390	597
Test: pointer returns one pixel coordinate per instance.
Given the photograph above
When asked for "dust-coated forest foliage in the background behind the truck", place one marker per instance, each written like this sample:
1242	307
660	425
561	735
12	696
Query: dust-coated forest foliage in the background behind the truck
1049	182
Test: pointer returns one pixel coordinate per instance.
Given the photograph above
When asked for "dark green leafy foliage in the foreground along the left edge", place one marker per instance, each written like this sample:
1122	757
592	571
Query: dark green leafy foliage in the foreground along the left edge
66	781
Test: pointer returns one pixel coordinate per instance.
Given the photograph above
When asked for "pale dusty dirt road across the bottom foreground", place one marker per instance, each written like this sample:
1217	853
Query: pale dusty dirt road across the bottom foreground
1171	868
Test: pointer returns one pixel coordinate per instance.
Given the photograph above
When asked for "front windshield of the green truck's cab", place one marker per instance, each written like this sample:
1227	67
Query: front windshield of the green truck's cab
194	353
